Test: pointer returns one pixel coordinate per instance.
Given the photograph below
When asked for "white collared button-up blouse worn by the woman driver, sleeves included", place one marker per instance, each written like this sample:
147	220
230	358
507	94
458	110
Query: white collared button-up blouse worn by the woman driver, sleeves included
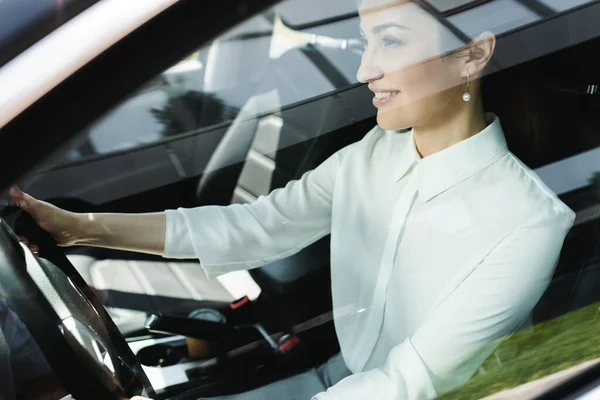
432	259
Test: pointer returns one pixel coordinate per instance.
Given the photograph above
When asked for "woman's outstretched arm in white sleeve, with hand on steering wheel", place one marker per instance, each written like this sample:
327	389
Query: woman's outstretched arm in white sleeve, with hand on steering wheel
241	236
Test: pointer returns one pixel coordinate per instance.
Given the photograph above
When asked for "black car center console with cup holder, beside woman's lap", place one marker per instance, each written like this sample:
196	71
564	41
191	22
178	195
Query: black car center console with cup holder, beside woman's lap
226	354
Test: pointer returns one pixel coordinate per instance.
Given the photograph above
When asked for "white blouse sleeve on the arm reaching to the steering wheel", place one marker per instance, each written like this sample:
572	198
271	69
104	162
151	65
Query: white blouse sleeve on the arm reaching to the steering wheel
244	236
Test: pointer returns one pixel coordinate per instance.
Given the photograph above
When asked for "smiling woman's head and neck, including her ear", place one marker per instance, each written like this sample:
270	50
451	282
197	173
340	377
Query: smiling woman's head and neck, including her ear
419	72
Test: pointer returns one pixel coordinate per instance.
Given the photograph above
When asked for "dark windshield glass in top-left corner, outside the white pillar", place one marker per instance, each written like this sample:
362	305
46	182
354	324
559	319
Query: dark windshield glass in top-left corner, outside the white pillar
26	22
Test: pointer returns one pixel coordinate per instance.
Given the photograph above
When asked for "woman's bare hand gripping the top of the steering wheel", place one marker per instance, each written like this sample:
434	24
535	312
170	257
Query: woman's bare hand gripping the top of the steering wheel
62	225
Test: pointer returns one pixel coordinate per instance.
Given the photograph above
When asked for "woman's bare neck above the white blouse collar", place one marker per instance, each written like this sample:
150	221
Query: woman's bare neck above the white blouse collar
449	128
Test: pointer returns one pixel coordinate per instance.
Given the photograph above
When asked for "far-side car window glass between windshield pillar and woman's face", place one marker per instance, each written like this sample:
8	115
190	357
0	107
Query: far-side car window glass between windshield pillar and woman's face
202	92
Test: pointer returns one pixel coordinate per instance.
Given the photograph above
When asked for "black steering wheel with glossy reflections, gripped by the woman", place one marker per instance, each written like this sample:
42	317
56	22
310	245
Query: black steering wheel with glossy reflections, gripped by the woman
80	341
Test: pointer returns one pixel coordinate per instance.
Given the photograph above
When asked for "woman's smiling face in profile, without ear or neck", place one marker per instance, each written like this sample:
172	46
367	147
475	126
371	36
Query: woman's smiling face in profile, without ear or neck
403	67
